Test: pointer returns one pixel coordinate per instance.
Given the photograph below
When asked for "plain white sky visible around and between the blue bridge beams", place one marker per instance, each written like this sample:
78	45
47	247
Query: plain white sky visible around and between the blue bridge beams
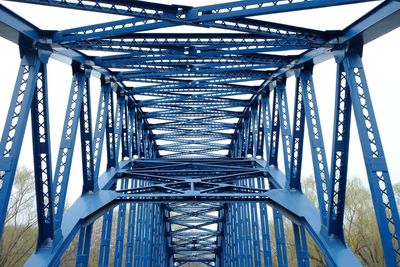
381	59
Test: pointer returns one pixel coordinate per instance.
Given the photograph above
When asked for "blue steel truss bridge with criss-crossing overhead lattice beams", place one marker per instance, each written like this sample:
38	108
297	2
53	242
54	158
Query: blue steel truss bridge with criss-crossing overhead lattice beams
192	164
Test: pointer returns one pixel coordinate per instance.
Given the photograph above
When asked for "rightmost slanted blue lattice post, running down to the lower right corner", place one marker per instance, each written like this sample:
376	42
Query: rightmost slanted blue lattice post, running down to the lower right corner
386	212
